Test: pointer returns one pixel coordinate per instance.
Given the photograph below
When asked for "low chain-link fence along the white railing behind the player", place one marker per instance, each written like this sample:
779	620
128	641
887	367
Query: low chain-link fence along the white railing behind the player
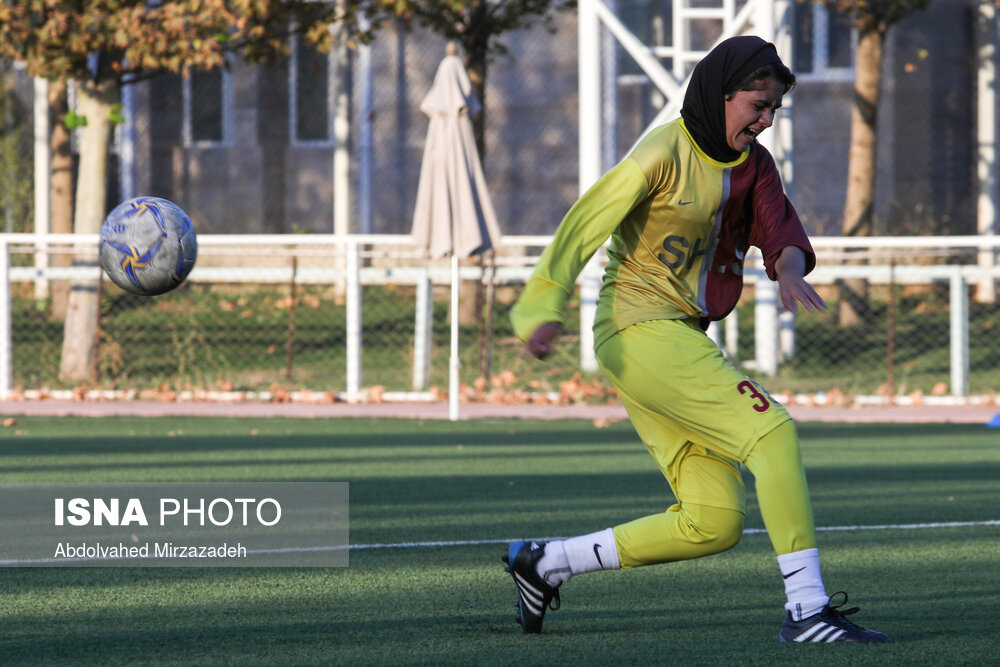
268	321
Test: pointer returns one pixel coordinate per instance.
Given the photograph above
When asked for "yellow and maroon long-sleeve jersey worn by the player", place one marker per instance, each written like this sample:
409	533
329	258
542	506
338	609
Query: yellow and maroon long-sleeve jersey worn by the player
680	225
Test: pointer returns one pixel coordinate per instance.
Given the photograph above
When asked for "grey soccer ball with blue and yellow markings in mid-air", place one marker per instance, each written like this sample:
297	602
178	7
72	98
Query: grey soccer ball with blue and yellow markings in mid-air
148	245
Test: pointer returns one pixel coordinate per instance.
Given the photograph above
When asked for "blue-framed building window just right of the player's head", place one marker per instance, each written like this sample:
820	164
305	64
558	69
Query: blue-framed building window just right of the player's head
824	43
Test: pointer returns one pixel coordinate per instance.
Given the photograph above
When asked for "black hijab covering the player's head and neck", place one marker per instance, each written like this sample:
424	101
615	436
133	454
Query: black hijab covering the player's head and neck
704	109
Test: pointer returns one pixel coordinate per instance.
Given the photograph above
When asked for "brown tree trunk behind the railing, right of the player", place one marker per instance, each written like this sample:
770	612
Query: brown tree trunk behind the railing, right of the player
858	209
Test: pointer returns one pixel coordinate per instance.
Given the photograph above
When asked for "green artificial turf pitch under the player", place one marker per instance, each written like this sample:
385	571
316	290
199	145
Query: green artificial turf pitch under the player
935	588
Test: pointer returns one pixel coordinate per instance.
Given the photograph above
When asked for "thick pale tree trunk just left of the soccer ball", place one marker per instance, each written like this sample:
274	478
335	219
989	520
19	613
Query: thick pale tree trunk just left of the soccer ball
94	101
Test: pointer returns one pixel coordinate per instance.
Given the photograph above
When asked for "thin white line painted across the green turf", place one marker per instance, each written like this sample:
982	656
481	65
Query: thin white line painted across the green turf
466	543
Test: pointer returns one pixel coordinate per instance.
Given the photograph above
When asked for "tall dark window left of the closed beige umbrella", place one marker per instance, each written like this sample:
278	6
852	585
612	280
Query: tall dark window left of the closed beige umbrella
312	119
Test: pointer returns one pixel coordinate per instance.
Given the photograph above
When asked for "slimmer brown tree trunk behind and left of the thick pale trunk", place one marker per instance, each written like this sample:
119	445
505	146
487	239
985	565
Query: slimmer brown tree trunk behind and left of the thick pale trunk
60	190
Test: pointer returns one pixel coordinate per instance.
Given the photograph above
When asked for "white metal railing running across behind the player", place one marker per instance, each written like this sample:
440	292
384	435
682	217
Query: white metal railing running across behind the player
774	338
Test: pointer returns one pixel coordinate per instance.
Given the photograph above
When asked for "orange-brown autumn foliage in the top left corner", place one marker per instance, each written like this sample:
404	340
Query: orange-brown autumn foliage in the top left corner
58	38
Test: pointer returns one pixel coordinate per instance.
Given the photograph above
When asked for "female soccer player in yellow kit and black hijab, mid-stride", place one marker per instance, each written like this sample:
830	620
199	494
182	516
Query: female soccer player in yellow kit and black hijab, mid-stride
681	211
